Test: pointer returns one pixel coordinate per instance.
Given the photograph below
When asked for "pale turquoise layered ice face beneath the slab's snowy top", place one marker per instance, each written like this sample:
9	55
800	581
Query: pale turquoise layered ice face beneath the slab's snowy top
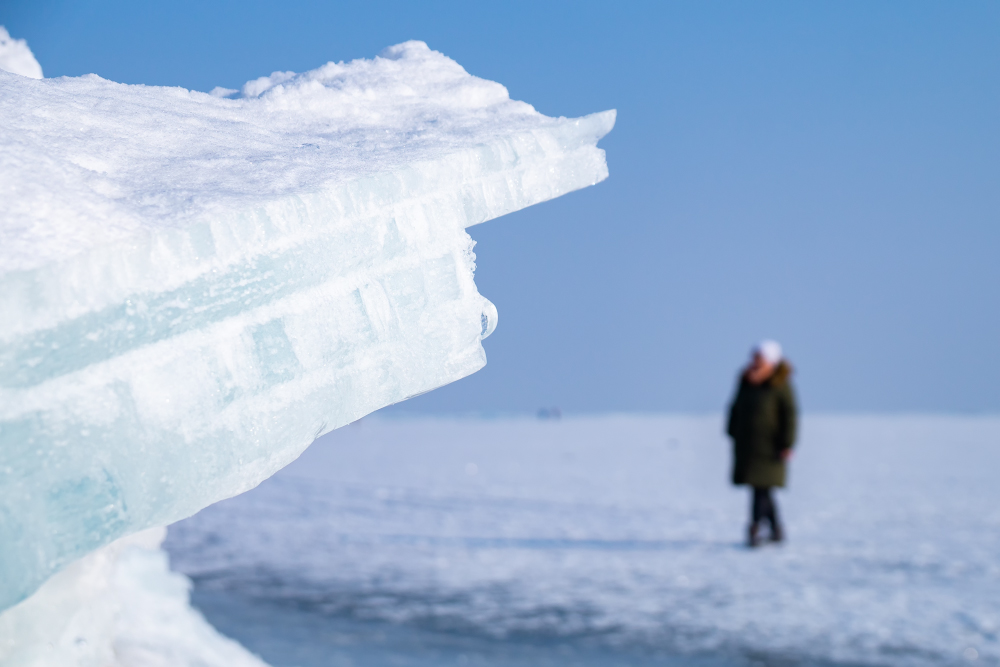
255	377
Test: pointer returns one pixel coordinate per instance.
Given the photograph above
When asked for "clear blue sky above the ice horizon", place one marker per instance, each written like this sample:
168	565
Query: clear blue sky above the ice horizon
823	173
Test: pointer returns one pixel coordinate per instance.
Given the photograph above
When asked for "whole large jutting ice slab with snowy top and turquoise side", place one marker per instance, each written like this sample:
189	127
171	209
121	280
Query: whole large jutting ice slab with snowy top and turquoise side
195	287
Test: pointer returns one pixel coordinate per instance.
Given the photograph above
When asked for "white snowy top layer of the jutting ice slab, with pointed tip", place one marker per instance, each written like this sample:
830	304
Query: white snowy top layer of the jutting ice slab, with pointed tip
88	162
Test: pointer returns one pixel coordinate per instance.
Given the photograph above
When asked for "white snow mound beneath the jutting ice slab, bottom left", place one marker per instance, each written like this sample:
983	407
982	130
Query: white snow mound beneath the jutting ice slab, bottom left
118	606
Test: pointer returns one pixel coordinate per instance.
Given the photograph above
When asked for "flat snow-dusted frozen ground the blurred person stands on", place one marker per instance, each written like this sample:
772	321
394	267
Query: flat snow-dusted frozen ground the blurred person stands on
609	540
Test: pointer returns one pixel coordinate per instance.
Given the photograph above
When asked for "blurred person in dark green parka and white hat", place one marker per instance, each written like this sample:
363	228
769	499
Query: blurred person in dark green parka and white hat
762	424
